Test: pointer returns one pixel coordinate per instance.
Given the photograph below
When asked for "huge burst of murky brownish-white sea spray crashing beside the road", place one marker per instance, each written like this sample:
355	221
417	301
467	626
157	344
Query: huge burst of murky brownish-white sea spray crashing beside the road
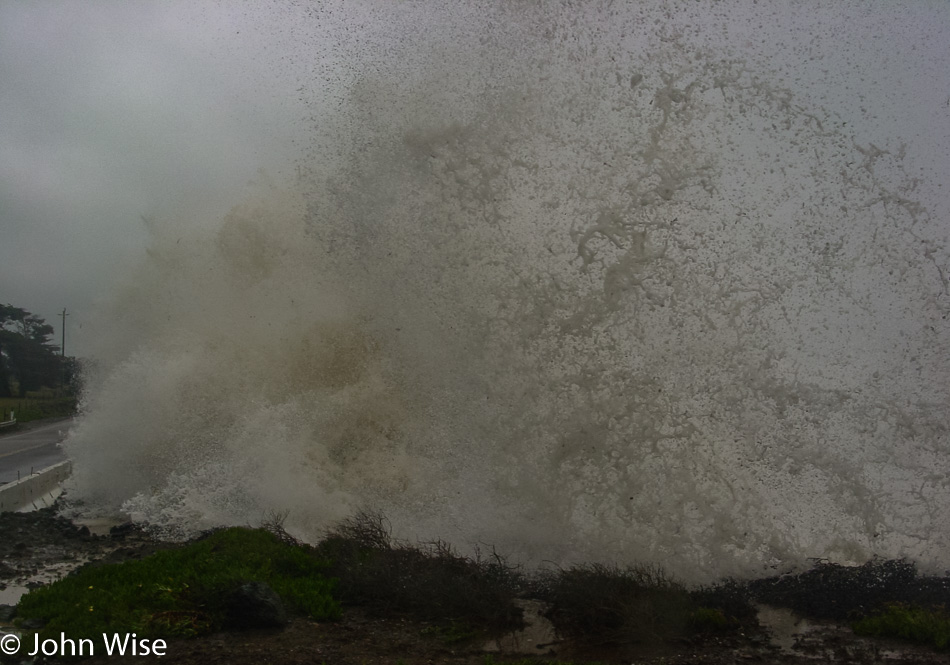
578	284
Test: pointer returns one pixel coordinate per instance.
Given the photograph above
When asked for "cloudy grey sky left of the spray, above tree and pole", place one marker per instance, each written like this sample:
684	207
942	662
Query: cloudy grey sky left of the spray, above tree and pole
115	110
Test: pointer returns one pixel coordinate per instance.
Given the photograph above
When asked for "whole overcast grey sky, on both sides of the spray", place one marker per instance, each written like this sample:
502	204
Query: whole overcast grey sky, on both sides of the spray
112	110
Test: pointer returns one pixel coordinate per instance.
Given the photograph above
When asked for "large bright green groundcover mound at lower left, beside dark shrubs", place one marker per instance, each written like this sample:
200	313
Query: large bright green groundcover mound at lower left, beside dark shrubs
183	592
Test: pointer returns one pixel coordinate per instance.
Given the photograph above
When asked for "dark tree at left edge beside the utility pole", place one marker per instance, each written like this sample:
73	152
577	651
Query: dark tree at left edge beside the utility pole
27	358
